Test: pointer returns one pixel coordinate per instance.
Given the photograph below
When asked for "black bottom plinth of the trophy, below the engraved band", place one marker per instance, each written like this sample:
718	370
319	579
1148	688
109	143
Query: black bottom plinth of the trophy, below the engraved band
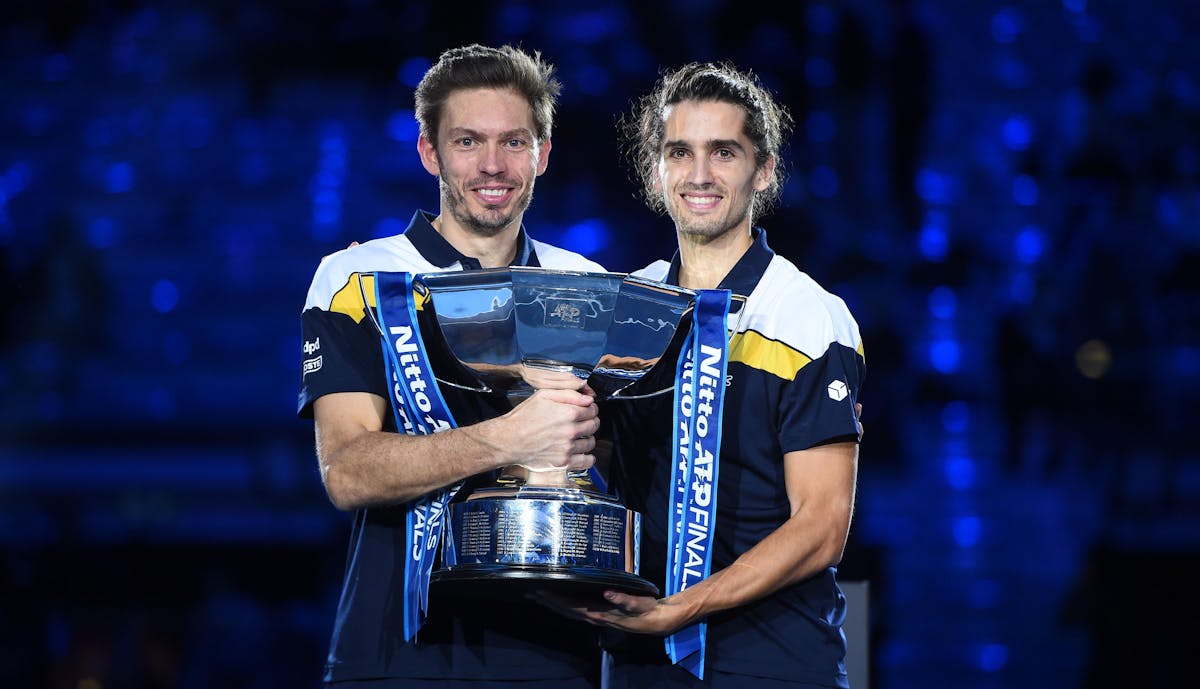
484	580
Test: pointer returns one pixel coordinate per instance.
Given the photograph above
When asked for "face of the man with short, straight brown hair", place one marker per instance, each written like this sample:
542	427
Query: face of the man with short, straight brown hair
487	160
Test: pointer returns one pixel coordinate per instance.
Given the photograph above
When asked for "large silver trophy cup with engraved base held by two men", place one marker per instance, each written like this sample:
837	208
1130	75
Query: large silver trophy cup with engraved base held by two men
497	334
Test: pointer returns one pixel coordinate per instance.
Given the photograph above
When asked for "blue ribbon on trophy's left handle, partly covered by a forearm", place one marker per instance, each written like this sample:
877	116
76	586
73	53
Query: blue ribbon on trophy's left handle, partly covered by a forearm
419	409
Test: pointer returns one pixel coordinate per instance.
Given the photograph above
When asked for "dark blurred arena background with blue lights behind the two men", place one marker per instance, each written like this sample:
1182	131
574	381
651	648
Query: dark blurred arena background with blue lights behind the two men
1007	195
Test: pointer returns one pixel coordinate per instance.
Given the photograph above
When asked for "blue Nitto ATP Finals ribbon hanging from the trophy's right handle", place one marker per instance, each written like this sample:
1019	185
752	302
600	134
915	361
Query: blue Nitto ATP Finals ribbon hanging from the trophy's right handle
700	397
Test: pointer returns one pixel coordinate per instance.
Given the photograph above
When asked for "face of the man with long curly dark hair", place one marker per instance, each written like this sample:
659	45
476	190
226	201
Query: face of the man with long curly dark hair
707	175
